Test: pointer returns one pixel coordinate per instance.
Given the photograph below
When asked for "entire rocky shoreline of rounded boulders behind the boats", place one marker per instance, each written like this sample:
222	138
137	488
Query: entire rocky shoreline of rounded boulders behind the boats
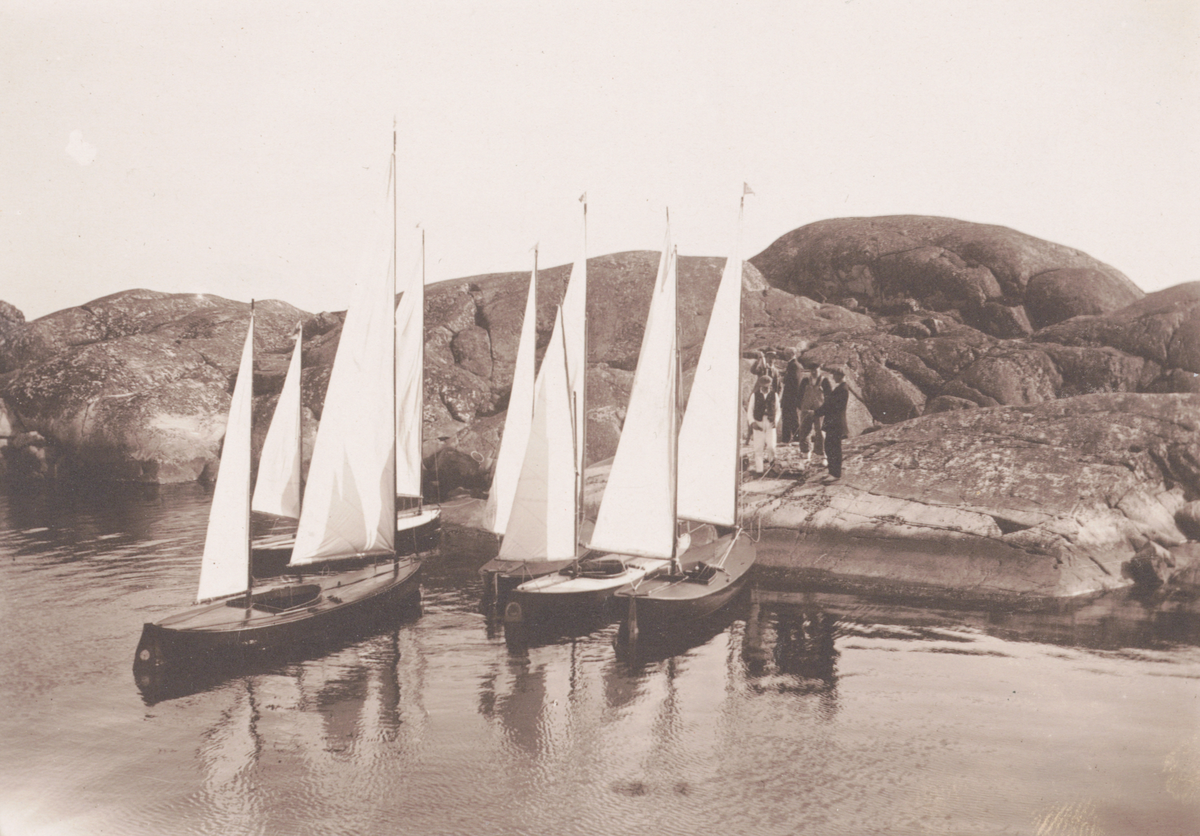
1028	423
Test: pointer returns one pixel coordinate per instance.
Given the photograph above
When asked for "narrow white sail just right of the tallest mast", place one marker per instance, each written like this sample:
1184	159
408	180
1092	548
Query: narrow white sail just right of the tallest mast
410	382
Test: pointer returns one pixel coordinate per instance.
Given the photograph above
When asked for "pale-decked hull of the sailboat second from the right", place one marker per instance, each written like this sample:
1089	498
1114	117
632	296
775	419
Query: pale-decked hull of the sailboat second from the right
568	593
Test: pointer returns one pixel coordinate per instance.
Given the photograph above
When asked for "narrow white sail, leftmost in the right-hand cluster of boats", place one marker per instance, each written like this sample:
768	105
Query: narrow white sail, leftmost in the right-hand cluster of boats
519	419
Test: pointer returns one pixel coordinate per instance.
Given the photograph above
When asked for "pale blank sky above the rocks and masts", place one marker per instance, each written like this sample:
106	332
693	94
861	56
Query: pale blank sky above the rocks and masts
242	148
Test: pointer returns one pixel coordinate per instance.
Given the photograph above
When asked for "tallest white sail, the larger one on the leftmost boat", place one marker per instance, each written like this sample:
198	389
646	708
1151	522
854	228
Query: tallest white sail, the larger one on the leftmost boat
350	501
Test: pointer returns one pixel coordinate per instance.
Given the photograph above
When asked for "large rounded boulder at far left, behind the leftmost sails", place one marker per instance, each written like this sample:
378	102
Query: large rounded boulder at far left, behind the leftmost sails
147	399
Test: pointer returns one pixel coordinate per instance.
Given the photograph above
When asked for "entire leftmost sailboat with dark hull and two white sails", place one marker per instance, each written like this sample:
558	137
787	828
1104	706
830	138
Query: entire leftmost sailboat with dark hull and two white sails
347	524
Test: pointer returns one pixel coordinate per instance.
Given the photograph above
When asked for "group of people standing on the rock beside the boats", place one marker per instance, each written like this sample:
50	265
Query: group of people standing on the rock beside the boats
807	406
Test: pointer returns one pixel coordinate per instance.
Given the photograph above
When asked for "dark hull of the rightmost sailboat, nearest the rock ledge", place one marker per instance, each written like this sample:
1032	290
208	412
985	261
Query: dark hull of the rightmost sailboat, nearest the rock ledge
663	602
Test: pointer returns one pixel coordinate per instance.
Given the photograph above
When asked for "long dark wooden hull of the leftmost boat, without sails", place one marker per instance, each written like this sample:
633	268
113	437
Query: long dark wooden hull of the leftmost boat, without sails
285	614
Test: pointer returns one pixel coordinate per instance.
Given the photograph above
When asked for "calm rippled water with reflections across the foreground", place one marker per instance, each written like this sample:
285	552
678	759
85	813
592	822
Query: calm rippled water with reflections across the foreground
800	714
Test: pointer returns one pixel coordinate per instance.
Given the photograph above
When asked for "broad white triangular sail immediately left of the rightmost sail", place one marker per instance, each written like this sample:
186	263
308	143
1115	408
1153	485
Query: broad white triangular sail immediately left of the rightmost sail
638	512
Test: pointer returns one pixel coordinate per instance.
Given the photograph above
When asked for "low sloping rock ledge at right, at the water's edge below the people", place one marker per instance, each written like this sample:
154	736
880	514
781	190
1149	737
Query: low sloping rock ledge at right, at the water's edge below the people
1055	501
